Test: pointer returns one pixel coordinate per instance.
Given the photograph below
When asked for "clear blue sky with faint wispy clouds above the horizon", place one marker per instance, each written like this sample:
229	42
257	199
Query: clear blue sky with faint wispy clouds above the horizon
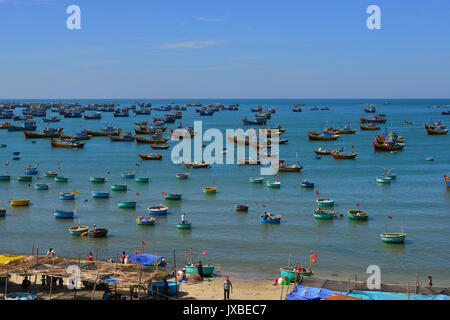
224	49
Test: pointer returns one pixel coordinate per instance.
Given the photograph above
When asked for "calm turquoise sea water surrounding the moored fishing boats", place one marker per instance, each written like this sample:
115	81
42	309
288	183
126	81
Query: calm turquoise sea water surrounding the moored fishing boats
418	200
